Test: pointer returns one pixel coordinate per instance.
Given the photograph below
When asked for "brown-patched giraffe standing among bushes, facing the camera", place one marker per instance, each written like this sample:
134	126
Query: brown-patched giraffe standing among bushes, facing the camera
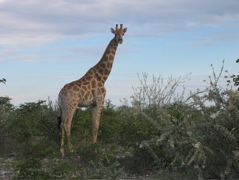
88	91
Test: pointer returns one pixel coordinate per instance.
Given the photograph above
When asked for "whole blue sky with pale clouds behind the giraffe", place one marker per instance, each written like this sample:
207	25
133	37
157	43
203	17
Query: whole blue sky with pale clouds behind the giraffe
46	44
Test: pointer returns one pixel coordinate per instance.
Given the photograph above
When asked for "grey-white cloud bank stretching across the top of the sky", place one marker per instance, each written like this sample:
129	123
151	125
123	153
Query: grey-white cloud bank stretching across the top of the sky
44	21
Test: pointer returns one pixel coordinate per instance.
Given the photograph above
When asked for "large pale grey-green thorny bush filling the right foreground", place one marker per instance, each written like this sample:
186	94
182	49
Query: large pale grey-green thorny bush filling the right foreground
198	136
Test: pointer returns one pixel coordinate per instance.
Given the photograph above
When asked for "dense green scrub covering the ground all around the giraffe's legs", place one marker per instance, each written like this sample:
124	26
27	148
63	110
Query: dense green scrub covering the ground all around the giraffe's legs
160	134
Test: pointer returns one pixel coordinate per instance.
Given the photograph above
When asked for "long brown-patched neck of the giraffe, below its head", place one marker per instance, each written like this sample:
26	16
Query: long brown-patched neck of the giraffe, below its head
104	66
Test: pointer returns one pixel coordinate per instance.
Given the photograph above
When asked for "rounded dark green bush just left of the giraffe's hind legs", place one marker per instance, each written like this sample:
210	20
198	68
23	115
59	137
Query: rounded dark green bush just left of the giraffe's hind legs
33	120
